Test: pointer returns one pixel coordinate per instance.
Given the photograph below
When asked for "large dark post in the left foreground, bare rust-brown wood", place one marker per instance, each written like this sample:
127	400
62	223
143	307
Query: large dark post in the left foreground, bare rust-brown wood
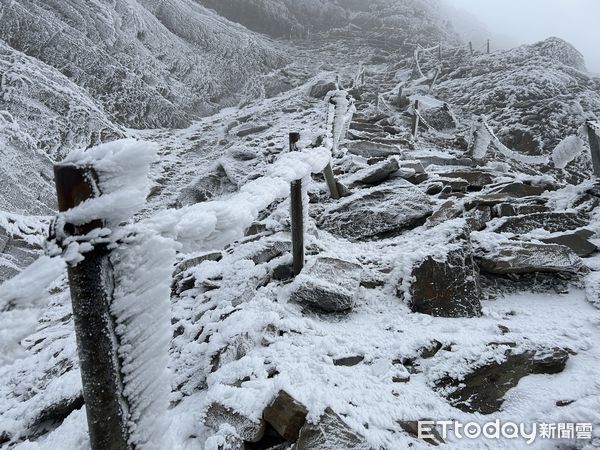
91	283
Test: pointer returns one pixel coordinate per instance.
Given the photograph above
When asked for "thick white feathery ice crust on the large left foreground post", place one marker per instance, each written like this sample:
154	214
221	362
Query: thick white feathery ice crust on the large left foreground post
142	264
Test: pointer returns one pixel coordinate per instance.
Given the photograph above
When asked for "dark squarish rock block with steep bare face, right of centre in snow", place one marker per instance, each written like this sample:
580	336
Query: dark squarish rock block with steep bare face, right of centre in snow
448	288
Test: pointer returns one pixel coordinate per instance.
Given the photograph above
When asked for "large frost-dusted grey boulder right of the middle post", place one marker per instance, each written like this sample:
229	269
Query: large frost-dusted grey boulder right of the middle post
378	212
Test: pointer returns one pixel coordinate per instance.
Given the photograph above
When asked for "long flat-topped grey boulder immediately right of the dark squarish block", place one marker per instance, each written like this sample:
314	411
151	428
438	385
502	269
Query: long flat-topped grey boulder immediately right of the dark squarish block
527	257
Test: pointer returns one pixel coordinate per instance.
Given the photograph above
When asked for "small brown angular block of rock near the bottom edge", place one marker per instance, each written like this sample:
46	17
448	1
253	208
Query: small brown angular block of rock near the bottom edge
286	416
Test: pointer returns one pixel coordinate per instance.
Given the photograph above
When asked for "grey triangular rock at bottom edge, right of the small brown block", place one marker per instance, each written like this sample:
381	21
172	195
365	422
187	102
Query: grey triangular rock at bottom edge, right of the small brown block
331	432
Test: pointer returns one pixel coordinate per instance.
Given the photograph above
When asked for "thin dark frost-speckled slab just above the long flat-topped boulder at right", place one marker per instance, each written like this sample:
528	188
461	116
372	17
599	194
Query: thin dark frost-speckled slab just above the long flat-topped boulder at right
553	222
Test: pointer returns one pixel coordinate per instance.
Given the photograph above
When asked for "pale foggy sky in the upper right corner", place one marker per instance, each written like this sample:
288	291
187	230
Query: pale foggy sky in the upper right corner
528	21
